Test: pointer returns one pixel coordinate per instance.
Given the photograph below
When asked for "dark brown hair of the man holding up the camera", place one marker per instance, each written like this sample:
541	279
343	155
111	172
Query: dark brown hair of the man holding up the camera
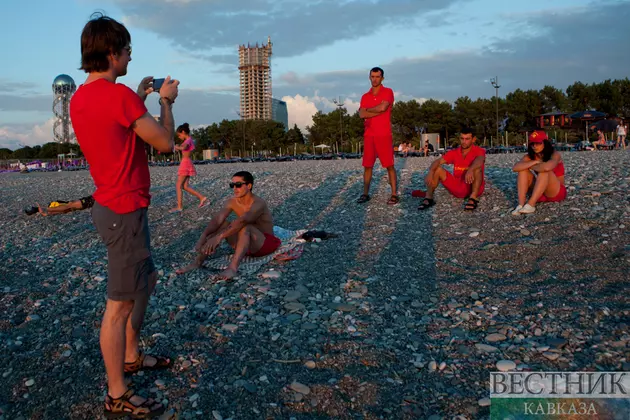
101	37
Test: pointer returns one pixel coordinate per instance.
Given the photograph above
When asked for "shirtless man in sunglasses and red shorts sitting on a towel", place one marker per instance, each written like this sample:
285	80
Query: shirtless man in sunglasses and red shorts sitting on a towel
251	234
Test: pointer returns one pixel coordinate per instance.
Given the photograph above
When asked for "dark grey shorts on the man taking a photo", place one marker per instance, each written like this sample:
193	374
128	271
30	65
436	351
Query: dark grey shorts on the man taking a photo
131	273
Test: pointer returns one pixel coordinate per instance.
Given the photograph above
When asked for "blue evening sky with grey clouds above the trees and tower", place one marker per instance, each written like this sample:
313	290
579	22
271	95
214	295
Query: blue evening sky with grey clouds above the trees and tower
322	50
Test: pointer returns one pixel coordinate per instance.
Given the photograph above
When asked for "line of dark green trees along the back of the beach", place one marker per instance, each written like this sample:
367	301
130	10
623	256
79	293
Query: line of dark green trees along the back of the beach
338	128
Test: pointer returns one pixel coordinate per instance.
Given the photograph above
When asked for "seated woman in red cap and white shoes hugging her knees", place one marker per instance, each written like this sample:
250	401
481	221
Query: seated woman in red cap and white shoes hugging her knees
540	174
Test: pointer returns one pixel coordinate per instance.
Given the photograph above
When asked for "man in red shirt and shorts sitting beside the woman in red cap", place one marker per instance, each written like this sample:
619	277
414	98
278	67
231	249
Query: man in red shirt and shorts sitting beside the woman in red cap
467	179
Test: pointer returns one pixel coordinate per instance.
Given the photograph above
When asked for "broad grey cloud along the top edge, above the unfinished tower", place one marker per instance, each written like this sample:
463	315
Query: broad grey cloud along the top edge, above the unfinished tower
204	26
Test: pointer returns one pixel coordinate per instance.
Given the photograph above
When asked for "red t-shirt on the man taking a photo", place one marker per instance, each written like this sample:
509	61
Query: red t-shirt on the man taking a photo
102	113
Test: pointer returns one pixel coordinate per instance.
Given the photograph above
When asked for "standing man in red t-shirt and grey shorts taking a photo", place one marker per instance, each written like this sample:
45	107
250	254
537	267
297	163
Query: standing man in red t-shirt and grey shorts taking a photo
111	122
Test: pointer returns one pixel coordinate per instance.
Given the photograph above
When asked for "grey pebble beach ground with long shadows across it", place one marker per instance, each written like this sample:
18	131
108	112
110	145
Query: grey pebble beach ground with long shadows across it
423	291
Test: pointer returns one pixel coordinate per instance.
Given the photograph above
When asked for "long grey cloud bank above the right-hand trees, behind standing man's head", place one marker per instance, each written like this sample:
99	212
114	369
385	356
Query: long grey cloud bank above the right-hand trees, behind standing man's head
559	48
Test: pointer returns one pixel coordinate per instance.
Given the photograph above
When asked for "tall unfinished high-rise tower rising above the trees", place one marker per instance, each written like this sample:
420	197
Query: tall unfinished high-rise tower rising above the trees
255	68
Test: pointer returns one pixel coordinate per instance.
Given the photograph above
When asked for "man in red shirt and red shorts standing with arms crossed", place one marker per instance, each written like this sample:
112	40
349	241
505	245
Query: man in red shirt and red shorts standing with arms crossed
376	109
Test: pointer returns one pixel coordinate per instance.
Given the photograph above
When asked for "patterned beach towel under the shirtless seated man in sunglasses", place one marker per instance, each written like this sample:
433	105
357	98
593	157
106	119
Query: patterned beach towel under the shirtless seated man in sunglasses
291	248
